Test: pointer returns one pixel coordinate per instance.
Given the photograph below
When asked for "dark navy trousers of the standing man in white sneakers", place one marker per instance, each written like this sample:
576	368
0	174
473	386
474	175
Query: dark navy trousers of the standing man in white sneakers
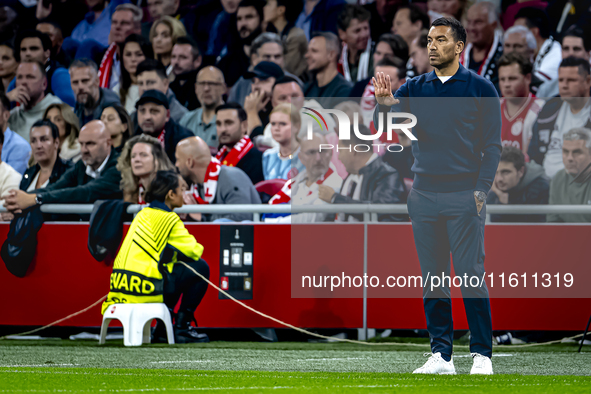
444	223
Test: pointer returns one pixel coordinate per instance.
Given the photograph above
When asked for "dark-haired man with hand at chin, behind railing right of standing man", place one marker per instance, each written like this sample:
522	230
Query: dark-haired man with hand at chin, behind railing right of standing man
518	182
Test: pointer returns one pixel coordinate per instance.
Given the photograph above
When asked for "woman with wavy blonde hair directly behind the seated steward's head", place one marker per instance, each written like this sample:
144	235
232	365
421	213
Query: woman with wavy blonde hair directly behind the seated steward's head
141	158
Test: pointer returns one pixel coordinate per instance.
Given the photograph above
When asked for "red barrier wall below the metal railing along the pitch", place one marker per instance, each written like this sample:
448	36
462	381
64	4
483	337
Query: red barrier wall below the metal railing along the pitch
66	278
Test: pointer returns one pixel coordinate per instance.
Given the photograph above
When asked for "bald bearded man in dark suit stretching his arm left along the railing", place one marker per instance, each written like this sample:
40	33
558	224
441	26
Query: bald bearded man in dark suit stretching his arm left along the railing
94	177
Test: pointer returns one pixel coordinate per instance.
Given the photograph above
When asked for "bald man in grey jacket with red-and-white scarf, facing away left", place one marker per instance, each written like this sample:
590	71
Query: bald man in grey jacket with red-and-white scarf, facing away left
212	182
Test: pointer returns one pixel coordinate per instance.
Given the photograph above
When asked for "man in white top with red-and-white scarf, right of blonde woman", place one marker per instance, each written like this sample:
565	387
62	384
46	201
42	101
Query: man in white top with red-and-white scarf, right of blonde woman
319	171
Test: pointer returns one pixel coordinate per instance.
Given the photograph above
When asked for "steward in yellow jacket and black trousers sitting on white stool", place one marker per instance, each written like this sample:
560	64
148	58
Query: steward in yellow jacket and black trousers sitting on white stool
146	268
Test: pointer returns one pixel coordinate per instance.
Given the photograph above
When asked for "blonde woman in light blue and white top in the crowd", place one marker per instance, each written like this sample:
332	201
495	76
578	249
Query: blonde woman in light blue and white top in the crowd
282	161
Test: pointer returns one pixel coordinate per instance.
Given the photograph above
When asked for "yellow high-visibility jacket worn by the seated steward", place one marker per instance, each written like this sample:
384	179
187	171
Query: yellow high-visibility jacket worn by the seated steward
157	238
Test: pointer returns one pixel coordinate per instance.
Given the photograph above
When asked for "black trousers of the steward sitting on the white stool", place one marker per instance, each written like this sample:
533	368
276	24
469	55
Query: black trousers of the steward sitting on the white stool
182	281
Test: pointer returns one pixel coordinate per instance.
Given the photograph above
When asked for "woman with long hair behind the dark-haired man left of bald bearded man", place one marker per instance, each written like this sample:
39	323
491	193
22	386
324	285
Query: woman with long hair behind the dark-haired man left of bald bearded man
69	127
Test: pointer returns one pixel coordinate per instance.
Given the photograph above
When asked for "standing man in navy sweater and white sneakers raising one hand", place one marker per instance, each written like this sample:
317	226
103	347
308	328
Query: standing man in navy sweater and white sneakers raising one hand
457	146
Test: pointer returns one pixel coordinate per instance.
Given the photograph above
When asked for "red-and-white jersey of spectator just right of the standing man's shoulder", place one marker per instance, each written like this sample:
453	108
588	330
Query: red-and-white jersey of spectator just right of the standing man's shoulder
517	129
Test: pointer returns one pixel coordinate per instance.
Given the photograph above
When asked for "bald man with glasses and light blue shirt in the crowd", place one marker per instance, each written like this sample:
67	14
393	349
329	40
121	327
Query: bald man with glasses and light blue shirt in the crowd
210	88
